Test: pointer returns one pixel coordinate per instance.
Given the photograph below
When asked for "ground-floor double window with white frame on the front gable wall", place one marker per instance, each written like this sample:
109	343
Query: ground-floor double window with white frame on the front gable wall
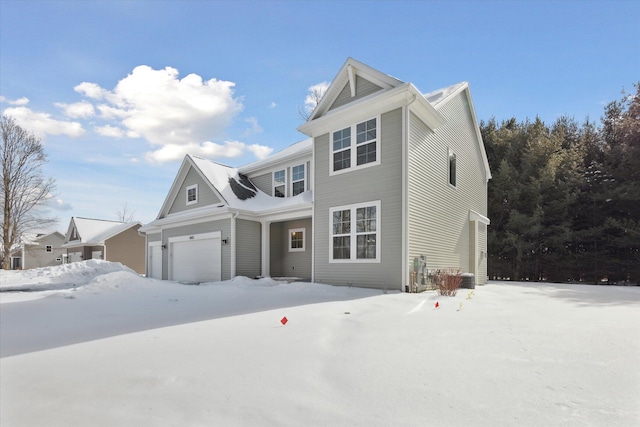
355	231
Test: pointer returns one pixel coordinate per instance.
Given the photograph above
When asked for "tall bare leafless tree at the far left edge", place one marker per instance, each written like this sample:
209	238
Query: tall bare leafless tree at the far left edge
24	190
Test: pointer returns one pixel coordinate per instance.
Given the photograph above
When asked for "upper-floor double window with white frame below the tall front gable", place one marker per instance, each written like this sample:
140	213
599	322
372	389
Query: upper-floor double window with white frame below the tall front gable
364	151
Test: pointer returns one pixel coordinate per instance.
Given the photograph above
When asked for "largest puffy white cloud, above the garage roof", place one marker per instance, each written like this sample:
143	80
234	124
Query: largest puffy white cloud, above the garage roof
166	110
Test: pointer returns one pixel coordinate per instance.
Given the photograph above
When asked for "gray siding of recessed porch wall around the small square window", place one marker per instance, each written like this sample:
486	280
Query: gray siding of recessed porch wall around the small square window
290	264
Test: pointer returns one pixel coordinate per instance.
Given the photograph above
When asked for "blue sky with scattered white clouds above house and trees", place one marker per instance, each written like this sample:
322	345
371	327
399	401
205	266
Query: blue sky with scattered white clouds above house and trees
120	90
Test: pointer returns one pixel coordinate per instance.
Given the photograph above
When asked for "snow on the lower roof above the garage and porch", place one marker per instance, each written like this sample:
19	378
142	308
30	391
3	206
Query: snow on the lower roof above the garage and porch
220	177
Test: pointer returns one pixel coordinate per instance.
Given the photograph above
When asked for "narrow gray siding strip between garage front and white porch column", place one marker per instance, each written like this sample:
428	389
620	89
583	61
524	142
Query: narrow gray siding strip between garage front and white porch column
248	244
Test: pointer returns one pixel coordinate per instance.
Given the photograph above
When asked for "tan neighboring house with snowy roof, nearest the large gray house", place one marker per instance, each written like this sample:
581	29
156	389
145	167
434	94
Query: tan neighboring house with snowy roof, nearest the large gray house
107	240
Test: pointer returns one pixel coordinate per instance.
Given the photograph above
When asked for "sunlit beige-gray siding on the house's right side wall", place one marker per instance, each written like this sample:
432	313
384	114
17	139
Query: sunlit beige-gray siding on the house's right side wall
439	225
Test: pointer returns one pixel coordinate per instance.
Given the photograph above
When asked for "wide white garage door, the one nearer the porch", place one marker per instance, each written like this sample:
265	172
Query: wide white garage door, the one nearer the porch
195	258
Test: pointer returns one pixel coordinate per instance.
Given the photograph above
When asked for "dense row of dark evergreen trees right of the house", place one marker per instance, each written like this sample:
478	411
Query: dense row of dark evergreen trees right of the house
564	200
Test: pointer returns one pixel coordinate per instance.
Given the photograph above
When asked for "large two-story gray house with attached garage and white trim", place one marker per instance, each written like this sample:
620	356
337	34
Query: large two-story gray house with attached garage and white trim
389	181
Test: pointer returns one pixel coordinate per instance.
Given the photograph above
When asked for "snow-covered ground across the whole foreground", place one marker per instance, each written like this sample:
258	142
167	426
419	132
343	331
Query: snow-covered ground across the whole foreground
114	348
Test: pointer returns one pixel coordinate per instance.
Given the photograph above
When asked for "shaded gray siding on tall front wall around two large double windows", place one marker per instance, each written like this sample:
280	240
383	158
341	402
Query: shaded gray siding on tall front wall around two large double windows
382	182
